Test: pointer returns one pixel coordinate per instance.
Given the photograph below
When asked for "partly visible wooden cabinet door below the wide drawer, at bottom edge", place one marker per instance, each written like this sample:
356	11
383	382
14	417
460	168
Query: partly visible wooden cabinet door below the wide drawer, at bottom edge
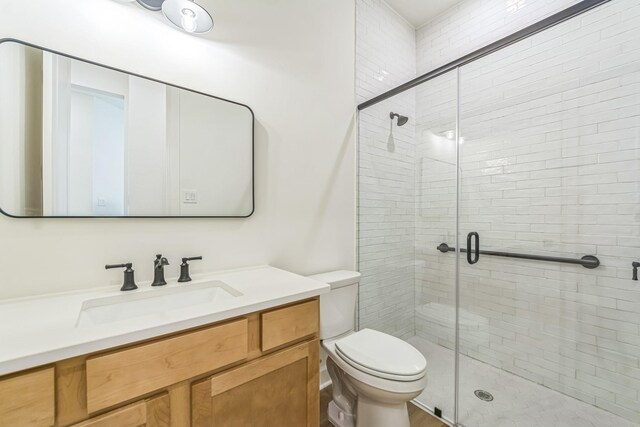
152	412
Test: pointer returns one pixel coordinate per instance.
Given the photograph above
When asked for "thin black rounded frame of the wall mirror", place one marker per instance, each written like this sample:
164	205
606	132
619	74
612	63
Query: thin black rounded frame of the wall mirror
253	152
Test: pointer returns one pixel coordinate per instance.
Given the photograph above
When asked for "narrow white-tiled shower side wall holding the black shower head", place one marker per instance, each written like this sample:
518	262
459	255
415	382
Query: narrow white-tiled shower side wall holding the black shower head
385	58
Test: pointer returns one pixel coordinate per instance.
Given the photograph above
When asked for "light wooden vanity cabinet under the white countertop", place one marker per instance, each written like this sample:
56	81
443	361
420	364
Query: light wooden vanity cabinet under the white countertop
260	369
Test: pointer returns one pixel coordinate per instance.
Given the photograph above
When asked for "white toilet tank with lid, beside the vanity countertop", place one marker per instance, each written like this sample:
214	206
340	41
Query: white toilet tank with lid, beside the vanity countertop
338	307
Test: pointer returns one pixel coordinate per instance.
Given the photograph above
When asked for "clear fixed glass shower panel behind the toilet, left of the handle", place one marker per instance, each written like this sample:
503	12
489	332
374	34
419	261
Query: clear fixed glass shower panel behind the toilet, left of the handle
406	208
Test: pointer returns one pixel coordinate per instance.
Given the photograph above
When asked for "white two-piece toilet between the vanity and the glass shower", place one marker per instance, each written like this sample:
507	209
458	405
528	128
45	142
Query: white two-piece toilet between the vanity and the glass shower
373	374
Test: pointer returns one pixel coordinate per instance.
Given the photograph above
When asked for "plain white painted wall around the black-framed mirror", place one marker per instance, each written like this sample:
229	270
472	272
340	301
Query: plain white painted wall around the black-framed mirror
292	62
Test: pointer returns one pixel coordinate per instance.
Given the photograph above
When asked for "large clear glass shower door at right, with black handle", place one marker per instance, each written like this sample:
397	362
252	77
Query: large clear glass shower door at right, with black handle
549	217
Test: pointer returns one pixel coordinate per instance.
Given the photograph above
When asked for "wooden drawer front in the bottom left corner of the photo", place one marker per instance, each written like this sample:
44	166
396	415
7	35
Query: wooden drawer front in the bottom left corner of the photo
28	400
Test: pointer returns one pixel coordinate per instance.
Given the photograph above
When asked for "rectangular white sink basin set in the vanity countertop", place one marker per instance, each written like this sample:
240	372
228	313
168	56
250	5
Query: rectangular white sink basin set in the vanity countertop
155	304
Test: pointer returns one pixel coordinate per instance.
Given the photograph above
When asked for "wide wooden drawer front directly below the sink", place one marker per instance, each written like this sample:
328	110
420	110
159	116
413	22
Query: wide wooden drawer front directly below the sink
129	373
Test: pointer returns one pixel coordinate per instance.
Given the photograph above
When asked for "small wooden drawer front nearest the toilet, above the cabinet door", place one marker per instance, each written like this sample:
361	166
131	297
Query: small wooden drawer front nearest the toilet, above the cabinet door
288	324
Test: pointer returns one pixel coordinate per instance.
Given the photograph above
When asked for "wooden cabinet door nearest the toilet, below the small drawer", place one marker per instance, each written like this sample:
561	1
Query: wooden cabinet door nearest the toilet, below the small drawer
281	389
